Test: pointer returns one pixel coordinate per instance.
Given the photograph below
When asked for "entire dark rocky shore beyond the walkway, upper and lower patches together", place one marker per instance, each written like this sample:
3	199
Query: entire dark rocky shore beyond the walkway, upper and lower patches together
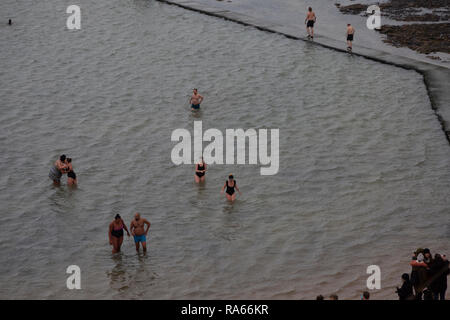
424	37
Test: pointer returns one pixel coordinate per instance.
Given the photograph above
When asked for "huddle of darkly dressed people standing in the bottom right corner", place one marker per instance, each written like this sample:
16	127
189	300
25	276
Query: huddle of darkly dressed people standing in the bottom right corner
428	277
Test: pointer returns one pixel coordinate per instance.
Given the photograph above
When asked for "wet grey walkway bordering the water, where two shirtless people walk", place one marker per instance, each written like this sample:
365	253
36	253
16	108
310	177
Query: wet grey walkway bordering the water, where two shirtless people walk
436	76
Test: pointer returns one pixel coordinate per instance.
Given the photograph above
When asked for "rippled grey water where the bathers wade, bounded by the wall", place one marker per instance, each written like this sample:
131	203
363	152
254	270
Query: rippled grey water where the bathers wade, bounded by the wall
364	165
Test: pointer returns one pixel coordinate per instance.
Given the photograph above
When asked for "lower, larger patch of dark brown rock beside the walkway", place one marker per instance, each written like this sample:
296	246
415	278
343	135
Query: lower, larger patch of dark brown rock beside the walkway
424	38
